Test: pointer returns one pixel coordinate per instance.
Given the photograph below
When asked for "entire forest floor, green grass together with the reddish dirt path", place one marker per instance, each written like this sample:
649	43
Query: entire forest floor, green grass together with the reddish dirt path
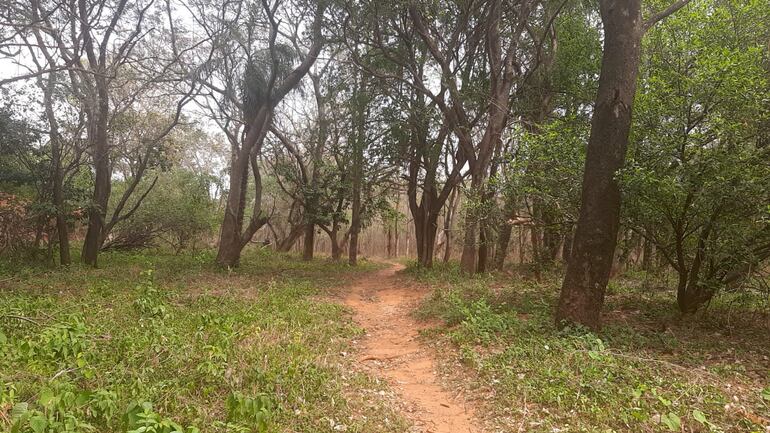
170	343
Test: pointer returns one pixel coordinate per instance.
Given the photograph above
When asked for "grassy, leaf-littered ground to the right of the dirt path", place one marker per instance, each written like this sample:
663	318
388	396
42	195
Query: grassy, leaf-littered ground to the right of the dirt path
647	371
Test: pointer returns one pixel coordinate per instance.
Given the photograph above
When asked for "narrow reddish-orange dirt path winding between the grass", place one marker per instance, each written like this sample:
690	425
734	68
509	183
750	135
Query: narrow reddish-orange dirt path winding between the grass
390	350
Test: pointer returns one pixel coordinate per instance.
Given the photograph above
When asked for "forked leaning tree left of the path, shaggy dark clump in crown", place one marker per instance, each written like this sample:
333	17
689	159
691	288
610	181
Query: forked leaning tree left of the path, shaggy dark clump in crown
256	62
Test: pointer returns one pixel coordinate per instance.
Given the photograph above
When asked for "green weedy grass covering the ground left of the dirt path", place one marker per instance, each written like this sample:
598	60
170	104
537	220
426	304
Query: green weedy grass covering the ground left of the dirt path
161	343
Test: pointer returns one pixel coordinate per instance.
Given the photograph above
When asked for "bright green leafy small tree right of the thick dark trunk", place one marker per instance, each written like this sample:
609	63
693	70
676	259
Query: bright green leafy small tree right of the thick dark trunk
697	181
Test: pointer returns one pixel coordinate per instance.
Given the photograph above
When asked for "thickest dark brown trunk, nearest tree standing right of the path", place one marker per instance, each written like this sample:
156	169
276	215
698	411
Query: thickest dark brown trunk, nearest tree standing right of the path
588	271
